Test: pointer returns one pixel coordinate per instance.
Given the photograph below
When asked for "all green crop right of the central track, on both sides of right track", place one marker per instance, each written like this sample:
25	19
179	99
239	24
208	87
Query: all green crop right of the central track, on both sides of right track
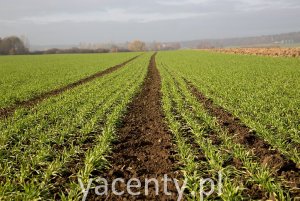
261	91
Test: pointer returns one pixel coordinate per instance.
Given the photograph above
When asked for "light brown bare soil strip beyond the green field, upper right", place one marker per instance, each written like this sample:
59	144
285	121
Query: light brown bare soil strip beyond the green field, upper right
284	52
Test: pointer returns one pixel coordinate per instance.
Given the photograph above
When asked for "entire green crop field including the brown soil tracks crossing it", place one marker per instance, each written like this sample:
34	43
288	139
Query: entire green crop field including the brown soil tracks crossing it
234	115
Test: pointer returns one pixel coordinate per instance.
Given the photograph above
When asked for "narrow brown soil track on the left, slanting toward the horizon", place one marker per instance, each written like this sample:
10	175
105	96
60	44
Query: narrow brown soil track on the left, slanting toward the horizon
6	112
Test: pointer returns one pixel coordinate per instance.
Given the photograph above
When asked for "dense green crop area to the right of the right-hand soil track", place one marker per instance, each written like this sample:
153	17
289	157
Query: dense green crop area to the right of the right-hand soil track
261	91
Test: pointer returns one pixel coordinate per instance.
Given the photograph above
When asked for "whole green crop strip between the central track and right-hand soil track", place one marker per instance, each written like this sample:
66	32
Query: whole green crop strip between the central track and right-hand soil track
204	148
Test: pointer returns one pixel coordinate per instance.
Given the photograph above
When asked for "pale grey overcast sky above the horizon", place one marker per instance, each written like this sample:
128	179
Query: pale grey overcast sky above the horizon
74	21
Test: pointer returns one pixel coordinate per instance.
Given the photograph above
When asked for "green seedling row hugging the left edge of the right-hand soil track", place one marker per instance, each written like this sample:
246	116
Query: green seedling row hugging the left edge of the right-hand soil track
201	125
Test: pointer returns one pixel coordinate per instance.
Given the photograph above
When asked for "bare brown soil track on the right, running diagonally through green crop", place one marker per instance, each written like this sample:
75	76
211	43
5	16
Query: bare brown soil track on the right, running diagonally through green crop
277	162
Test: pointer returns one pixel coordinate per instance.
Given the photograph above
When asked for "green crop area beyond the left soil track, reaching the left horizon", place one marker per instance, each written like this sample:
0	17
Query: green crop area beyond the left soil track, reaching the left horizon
23	77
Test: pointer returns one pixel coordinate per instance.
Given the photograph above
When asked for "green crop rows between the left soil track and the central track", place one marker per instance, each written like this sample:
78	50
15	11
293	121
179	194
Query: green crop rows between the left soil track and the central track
46	148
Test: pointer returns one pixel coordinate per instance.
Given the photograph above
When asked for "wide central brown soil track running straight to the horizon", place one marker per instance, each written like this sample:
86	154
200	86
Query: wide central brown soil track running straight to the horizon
144	148
